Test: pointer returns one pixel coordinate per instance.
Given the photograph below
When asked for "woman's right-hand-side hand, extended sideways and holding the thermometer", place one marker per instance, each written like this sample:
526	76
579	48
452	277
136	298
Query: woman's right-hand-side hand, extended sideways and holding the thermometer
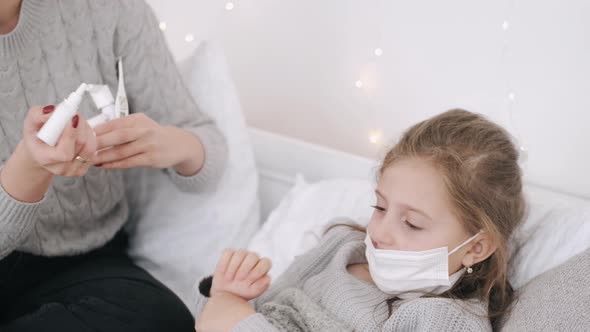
138	141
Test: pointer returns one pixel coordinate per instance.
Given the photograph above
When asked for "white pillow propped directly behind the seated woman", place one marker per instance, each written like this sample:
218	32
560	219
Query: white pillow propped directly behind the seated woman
178	236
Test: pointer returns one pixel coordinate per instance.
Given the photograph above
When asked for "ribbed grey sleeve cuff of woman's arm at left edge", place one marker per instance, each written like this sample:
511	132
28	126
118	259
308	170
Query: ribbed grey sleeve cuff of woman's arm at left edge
17	219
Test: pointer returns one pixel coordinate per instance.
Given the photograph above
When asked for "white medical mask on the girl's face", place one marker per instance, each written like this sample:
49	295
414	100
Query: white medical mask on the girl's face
396	272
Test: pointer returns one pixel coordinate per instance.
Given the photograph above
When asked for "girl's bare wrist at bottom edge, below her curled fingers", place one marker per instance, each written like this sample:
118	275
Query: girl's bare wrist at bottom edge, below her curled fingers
223	312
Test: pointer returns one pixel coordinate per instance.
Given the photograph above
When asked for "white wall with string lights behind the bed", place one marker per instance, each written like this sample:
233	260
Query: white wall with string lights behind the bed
295	63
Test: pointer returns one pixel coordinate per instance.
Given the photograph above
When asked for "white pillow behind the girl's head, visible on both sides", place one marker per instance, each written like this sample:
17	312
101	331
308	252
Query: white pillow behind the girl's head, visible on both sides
557	227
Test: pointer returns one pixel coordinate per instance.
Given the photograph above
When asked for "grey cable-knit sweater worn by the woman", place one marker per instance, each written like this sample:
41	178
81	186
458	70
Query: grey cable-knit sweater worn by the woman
57	45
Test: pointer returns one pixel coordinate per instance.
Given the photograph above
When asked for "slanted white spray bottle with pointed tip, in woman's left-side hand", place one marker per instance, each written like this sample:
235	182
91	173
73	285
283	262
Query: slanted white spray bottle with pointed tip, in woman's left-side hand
52	129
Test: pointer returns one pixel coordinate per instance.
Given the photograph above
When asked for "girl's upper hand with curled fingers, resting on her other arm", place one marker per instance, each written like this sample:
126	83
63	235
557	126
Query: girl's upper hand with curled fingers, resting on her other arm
241	273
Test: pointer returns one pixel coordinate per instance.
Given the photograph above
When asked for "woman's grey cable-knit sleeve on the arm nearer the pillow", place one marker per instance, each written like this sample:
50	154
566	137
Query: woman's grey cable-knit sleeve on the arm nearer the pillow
155	87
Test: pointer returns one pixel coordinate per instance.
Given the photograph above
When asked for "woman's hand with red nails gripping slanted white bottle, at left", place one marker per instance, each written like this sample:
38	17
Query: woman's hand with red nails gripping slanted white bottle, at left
77	139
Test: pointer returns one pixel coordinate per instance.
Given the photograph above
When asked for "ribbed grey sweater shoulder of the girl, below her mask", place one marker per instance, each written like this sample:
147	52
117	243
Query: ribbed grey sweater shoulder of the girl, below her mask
439	314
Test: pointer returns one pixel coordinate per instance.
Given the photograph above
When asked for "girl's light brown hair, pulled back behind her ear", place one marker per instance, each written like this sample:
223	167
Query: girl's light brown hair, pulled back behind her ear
479	165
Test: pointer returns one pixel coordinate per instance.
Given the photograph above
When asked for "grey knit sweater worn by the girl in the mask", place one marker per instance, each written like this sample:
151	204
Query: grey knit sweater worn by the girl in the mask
317	290
